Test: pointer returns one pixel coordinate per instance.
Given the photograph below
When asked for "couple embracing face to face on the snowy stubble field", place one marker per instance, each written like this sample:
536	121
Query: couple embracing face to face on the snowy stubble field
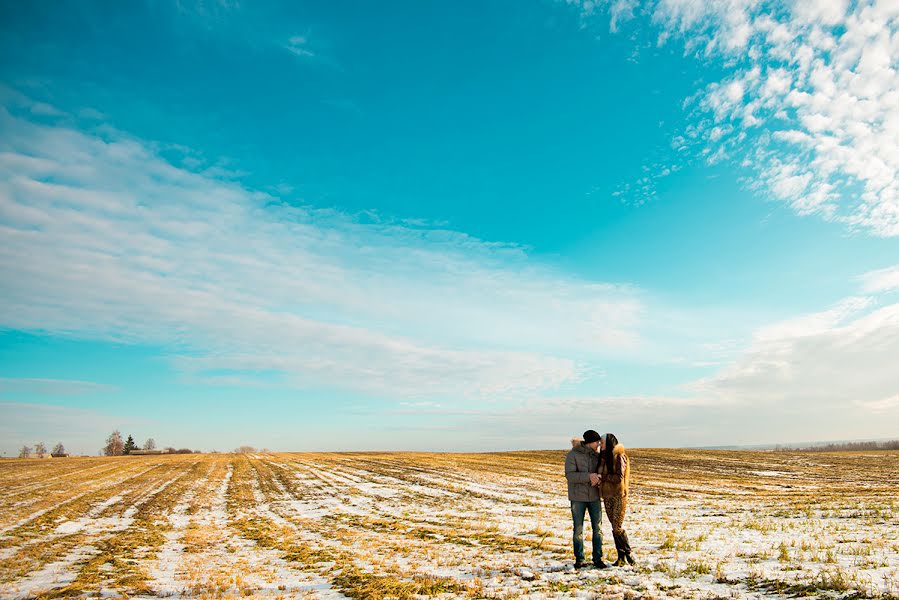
597	466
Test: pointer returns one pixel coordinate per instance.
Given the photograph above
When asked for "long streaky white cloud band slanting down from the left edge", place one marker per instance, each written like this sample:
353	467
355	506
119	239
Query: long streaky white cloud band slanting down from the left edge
104	239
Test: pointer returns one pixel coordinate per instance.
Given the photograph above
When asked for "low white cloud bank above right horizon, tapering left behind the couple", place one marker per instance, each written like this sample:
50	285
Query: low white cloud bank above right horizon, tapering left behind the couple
825	374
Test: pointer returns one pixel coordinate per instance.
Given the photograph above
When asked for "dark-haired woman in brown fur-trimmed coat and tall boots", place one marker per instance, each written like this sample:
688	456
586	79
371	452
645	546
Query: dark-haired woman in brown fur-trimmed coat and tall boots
614	471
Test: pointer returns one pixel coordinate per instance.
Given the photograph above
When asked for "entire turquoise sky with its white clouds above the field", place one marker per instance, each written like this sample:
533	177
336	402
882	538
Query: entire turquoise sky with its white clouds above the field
439	226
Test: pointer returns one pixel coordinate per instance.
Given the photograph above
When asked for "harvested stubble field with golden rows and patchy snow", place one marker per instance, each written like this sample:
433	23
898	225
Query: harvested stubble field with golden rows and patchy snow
703	524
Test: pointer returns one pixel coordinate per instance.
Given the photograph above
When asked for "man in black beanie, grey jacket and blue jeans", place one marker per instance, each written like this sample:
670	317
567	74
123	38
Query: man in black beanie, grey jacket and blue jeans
581	471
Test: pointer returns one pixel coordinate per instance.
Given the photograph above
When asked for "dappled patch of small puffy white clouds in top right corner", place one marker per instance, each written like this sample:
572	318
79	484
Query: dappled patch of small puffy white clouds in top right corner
809	105
